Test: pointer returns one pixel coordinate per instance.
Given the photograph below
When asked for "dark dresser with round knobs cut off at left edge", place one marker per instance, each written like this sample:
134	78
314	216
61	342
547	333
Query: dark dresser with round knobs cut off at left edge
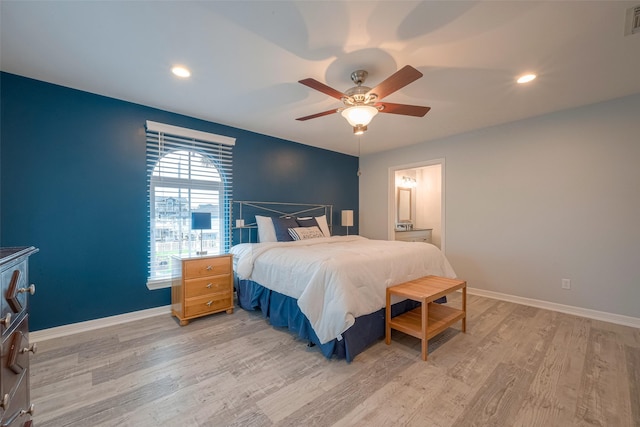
15	401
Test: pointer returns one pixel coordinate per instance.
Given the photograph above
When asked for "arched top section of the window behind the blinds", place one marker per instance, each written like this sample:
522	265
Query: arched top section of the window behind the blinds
187	164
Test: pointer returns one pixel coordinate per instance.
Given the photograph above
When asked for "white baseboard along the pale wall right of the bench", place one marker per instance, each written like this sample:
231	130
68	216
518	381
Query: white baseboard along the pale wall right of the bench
568	309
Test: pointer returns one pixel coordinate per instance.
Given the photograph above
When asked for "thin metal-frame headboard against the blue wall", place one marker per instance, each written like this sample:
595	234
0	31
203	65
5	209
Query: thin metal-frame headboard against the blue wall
246	211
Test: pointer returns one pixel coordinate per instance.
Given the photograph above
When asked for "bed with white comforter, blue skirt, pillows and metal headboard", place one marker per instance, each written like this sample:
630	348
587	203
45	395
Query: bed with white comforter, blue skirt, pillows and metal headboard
328	290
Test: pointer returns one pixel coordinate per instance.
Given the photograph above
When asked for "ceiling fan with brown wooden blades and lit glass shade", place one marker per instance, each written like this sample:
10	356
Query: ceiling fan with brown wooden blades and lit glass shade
362	103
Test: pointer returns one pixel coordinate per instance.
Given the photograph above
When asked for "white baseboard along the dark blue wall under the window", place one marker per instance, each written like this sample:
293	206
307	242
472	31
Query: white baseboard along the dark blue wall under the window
90	325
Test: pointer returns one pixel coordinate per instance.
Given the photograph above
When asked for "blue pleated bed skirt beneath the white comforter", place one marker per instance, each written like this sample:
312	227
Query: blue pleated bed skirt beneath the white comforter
283	311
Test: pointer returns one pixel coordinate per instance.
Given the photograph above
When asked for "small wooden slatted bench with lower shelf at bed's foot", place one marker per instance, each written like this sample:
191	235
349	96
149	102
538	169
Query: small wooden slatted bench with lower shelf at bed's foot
430	318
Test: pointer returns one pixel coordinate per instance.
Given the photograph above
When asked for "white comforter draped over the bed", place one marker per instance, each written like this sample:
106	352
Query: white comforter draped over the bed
336	279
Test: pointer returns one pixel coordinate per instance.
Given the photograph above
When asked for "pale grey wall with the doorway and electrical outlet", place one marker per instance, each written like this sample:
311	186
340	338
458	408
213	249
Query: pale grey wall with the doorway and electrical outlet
534	201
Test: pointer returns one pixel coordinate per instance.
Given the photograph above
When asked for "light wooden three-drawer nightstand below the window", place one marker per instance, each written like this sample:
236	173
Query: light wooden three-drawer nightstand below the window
201	286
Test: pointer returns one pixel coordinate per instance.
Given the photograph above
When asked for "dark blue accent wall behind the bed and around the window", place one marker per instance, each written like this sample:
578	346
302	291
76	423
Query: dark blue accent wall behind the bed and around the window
73	184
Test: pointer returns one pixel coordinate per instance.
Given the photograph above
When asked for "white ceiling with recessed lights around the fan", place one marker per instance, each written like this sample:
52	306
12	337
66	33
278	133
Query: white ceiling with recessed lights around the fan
247	56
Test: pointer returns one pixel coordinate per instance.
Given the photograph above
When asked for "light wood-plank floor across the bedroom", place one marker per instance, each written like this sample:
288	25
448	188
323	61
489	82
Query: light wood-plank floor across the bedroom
515	366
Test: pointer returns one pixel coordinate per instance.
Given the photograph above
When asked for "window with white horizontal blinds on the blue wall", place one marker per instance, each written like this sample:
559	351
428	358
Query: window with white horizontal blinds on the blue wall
187	171
